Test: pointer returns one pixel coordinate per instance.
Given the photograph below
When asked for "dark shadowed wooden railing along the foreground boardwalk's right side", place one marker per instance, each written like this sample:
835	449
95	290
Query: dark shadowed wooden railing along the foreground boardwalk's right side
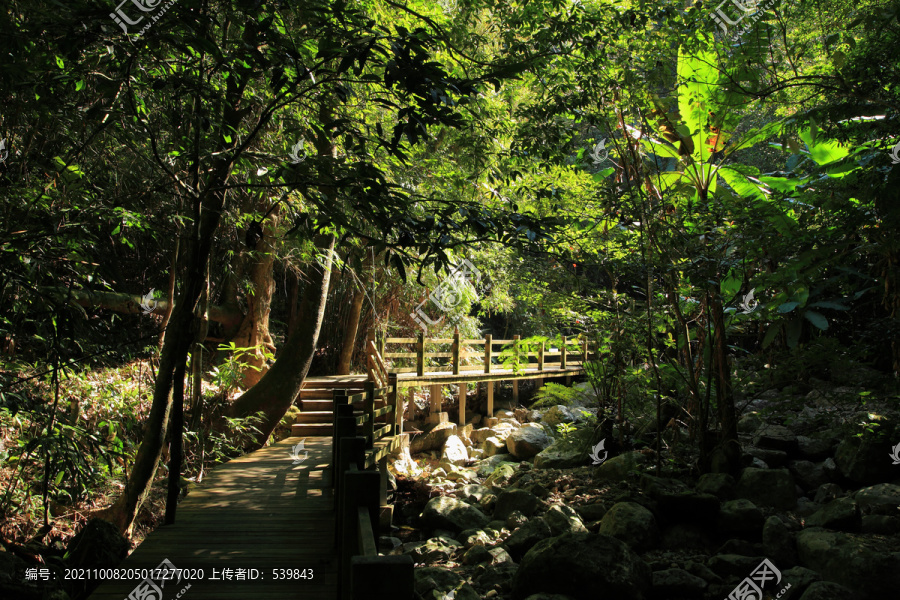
360	494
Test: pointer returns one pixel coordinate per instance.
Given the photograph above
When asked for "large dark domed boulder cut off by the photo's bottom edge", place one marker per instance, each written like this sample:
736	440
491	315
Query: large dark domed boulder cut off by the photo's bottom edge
580	564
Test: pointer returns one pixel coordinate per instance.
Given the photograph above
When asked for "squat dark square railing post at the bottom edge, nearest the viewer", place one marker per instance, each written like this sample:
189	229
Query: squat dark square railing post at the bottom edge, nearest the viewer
382	578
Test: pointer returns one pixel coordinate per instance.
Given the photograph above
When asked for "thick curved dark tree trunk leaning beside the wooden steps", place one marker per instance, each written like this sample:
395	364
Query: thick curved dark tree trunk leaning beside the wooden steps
275	392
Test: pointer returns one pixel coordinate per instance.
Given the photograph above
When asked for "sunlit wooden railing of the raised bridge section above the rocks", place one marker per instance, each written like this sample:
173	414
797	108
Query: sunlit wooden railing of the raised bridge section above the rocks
464	349
